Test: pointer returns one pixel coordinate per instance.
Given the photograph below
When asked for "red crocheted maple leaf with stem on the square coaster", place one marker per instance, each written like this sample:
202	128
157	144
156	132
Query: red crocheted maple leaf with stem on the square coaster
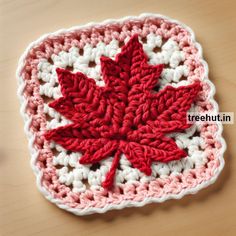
125	116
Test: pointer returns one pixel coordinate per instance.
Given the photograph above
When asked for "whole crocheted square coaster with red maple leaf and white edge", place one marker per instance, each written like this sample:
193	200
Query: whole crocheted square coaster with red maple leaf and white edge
105	109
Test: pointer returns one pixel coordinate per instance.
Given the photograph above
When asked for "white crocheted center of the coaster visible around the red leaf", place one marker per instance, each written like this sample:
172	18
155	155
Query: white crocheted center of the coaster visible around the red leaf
80	177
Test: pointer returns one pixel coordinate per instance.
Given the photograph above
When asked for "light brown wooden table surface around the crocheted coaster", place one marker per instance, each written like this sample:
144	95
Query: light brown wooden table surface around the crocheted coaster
24	211
